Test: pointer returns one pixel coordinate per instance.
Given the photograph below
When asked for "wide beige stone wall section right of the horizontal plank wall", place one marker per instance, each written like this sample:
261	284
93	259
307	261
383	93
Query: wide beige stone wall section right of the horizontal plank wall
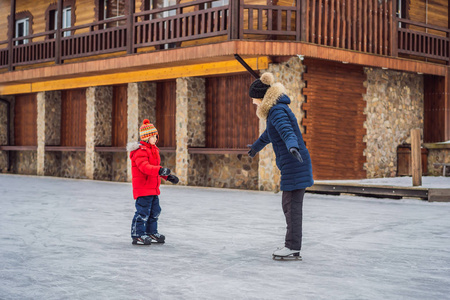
394	107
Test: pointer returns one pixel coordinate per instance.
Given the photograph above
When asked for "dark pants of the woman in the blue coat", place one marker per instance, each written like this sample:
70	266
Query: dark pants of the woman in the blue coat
292	202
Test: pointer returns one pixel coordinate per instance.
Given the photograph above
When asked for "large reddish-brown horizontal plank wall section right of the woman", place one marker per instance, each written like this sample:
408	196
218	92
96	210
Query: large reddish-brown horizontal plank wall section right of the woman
334	122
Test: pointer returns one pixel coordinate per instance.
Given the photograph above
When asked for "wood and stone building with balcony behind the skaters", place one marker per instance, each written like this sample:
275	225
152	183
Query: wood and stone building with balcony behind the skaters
77	77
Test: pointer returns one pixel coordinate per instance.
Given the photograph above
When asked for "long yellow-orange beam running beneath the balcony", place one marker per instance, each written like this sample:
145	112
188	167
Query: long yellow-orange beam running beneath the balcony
224	67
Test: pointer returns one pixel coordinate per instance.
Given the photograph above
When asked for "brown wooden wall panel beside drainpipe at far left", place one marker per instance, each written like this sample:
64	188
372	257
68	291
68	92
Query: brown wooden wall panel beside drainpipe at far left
25	120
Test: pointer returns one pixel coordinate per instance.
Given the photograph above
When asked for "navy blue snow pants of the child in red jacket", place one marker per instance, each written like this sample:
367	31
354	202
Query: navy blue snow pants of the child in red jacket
145	221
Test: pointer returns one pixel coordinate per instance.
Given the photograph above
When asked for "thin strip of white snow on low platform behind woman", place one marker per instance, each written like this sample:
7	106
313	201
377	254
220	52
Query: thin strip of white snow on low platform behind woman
427	181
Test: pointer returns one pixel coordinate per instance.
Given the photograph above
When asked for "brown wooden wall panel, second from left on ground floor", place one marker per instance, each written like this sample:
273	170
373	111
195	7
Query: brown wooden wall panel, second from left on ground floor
73	118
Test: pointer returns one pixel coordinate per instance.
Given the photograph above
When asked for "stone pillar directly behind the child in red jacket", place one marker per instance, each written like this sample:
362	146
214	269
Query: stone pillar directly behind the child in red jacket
141	105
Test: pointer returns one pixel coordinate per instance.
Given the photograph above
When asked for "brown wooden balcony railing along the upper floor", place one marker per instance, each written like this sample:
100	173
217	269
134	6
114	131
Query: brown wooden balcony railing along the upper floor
360	25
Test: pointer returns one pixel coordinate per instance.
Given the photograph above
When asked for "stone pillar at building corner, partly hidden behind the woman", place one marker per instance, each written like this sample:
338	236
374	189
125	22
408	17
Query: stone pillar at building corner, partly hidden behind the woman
290	75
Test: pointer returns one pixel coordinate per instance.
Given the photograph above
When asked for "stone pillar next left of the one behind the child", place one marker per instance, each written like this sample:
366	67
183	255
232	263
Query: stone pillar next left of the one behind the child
98	132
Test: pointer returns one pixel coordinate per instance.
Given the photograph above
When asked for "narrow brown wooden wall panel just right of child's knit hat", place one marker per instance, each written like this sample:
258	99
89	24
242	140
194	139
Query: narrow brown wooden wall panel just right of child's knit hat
166	112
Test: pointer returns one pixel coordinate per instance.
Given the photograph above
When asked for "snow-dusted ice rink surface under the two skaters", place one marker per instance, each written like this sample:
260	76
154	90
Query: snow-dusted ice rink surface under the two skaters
69	239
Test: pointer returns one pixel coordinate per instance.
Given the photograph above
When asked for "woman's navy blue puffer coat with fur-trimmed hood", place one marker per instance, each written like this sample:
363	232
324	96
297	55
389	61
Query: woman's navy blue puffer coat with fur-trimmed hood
283	132
